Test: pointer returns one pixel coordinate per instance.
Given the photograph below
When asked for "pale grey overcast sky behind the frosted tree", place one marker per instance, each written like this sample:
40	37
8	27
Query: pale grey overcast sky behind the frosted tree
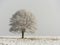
47	13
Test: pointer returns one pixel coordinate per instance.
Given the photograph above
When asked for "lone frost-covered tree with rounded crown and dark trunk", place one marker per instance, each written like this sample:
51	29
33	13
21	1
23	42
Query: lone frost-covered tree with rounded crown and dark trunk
22	21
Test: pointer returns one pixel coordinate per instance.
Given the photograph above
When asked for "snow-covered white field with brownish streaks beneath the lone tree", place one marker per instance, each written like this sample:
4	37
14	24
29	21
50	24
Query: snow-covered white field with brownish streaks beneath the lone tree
30	41
